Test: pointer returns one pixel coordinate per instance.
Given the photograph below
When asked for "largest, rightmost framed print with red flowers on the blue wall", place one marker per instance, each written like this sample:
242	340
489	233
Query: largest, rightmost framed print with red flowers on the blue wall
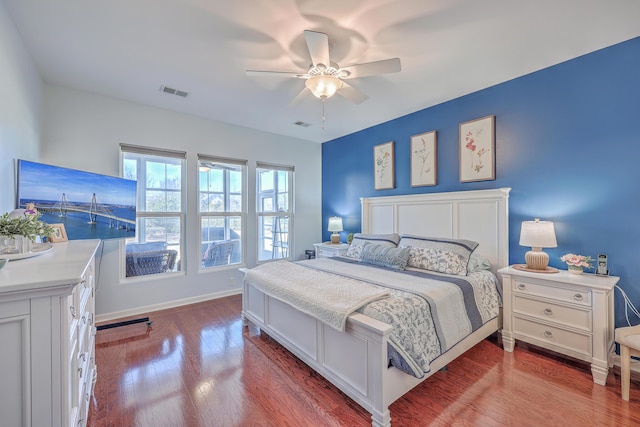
477	150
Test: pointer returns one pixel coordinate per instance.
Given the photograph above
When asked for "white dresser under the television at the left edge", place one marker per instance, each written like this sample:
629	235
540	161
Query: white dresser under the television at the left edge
47	330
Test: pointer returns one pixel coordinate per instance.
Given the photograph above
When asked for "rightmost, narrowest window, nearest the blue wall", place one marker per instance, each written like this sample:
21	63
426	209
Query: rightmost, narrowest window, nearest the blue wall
275	211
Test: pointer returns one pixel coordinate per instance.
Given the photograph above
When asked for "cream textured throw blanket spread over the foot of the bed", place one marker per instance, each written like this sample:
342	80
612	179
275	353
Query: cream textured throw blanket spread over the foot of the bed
328	297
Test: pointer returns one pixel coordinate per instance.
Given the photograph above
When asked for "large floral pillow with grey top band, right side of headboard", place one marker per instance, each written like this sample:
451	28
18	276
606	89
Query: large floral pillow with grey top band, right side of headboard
449	256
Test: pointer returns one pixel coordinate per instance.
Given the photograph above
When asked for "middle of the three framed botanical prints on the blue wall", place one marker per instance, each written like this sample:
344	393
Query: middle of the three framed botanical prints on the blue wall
423	159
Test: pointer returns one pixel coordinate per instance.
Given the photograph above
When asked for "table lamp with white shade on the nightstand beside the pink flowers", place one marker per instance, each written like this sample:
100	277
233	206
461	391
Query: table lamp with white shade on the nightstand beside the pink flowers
537	234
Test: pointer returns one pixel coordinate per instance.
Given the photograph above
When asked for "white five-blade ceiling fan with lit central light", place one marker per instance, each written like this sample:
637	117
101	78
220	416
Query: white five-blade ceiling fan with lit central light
325	78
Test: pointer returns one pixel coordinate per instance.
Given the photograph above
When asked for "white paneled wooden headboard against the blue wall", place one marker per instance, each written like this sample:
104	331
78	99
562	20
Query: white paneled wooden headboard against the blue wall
479	215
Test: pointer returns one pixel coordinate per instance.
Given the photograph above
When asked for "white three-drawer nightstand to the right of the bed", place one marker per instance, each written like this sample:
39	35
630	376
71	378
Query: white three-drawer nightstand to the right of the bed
571	314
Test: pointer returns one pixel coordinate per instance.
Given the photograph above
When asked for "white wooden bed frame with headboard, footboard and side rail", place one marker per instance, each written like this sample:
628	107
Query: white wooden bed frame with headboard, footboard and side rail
355	360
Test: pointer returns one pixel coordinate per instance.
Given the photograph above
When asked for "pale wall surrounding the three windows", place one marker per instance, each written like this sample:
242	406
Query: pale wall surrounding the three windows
83	131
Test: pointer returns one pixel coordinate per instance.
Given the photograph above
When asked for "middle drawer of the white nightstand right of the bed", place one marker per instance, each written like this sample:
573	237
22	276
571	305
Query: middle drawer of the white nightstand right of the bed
579	318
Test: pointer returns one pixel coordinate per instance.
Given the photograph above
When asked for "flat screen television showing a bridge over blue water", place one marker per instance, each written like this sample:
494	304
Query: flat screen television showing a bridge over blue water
90	205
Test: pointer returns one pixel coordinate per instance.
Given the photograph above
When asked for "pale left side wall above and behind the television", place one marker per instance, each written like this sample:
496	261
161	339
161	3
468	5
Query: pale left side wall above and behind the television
20	105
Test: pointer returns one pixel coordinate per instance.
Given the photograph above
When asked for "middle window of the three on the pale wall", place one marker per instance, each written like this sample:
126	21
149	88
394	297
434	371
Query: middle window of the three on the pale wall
222	211
